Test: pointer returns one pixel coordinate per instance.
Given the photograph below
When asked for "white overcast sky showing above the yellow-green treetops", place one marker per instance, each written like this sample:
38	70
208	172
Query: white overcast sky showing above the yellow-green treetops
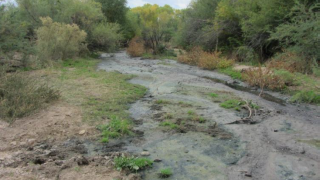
177	4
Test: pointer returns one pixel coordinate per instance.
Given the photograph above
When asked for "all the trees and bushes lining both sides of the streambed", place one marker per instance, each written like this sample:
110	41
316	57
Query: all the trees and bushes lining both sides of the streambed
280	38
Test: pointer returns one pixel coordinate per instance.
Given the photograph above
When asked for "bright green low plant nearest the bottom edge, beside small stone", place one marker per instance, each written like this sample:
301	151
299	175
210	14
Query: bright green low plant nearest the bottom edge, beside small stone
132	163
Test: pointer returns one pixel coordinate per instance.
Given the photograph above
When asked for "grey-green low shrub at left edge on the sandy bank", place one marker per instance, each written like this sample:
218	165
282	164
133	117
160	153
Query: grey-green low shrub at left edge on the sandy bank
20	96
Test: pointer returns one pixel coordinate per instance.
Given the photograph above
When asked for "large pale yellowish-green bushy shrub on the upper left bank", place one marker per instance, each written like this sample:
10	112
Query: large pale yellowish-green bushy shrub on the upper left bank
59	41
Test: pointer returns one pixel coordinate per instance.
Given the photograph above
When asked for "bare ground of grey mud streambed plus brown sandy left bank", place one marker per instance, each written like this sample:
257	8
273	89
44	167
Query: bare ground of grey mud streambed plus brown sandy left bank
180	123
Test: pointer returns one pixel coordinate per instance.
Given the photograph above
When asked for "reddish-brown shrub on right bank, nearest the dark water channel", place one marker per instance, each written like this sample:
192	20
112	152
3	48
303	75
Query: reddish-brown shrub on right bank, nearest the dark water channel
264	78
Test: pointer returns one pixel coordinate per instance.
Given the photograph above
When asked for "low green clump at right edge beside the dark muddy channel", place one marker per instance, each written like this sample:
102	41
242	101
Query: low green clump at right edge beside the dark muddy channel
307	97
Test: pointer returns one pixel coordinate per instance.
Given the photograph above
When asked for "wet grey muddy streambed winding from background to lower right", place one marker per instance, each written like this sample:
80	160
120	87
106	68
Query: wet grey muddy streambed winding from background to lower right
283	144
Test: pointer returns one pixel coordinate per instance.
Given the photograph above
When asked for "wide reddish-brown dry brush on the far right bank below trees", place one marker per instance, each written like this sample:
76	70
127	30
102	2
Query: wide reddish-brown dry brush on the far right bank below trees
205	60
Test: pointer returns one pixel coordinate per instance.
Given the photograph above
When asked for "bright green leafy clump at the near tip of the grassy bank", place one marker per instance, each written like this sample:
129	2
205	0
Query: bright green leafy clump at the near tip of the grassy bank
116	128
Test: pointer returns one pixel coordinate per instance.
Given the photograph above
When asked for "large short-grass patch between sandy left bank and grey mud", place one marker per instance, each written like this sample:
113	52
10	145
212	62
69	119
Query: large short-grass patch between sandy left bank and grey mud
104	97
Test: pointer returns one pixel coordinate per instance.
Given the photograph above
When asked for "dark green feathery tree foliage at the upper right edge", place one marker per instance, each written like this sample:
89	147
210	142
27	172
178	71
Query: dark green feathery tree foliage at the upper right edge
301	34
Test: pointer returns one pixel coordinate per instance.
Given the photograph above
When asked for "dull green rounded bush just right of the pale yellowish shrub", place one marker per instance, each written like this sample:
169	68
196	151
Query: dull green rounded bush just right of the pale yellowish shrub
107	36
